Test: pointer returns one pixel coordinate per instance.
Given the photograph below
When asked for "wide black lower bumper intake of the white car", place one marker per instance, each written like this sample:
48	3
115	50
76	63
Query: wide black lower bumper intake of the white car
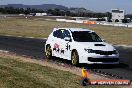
103	59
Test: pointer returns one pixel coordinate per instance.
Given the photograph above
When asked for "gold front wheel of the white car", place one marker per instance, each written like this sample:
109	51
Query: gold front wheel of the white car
74	58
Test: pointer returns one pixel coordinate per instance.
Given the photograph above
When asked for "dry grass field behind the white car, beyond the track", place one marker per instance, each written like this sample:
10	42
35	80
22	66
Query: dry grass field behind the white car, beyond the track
41	28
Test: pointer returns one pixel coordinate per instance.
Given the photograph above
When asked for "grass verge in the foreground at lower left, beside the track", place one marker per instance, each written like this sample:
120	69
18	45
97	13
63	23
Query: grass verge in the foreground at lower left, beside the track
15	73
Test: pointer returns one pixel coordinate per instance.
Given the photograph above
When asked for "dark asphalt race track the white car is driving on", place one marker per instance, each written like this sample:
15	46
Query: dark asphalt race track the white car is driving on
35	48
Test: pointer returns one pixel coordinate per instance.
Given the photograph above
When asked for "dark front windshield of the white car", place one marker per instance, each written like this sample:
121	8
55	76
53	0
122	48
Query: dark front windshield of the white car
85	36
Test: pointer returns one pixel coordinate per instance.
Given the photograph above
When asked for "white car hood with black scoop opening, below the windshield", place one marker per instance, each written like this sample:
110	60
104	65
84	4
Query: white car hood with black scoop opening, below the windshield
96	46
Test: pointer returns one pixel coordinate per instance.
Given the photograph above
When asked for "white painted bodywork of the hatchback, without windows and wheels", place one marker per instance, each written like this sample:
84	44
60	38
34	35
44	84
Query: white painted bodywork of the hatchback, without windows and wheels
103	53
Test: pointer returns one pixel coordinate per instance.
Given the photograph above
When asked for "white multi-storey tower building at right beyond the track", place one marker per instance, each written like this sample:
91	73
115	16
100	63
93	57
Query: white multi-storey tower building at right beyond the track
118	14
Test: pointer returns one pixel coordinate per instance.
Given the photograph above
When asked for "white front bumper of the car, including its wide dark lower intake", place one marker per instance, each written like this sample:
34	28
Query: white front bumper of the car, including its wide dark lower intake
99	59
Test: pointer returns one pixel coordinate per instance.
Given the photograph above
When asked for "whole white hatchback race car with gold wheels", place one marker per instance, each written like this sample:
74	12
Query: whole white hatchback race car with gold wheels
80	46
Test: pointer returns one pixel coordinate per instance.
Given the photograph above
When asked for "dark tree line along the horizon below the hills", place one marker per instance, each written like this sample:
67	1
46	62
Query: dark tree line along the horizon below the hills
57	12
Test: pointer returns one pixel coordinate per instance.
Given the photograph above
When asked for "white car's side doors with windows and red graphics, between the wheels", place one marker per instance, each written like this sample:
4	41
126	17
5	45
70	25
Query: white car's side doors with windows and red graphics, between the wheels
61	48
